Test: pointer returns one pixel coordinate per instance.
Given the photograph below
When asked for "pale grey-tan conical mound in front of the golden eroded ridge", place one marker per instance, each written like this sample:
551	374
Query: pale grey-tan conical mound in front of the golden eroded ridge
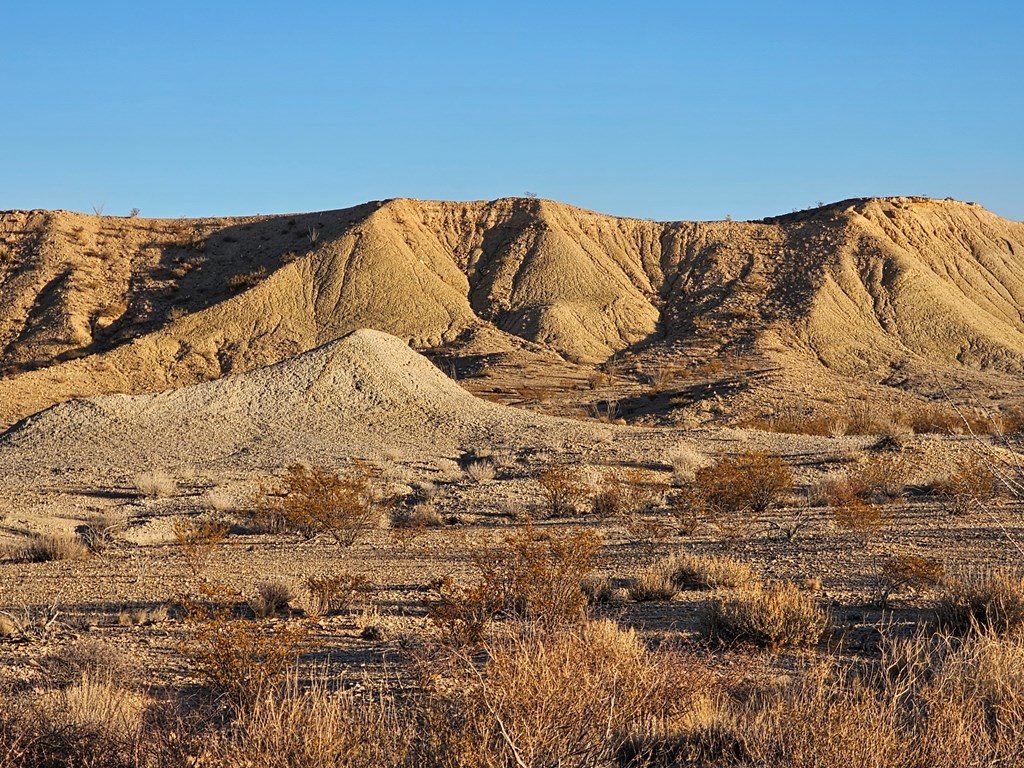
361	396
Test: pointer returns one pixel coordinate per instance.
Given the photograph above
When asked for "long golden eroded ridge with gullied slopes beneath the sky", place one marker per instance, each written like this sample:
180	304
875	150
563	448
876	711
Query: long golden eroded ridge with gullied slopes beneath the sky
851	292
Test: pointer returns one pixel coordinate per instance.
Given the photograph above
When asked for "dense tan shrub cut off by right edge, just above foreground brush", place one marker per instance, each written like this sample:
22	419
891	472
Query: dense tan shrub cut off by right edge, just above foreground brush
988	602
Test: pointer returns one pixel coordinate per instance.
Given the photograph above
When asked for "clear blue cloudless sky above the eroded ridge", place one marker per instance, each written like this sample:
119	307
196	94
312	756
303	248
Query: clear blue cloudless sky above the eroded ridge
661	110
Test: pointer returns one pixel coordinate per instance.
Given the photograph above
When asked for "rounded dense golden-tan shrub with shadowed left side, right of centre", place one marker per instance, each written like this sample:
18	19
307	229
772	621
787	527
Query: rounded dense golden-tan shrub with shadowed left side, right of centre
780	616
